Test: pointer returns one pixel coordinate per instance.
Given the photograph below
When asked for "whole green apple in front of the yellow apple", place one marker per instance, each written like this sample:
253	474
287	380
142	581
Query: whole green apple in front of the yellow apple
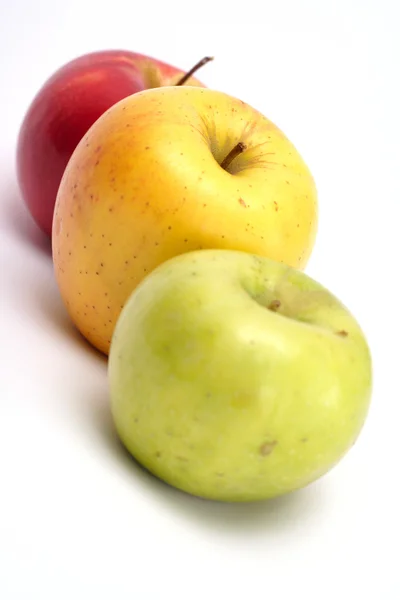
237	378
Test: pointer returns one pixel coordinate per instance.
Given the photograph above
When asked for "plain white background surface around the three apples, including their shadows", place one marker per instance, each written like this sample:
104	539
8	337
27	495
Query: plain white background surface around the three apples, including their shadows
78	519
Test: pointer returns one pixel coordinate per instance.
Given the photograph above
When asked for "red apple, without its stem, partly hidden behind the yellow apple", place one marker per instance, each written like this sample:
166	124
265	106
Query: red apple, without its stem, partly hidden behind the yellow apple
63	110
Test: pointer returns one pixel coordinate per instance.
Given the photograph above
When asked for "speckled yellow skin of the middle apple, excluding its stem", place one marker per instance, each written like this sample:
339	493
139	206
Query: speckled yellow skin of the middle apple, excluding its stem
145	184
